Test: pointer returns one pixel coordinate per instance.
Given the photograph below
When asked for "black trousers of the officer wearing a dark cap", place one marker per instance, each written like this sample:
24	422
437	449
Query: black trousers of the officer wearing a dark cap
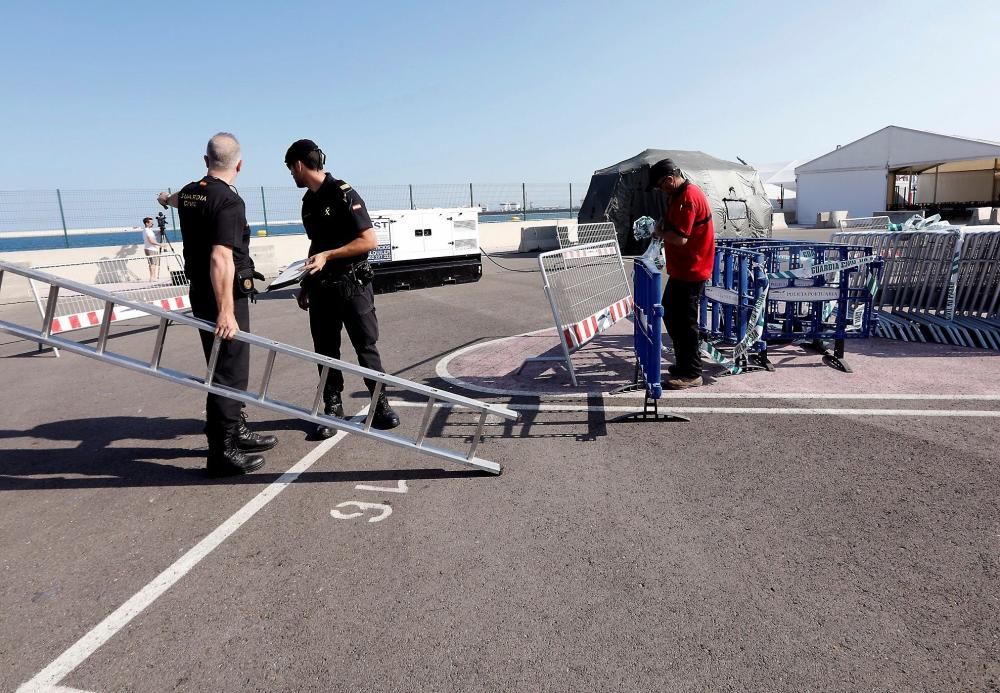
328	313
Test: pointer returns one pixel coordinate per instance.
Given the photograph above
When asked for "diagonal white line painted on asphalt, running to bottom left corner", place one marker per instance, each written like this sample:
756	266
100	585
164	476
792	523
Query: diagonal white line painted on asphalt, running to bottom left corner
50	676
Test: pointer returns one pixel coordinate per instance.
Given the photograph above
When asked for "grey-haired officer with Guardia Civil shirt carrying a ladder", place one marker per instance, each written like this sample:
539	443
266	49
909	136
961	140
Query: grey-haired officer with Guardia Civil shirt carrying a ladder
218	264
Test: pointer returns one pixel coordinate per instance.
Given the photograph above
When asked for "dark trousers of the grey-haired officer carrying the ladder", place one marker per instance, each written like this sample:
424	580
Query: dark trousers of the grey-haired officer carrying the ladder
232	369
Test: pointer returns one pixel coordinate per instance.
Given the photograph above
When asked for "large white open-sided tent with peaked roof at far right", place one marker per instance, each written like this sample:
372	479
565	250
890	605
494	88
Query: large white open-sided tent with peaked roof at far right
896	168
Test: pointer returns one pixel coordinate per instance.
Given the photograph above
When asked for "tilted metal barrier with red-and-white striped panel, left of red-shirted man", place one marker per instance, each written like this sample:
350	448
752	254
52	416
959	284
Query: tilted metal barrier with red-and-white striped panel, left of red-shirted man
588	293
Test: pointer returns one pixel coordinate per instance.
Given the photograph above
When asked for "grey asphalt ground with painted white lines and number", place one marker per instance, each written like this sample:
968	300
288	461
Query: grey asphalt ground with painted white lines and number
776	550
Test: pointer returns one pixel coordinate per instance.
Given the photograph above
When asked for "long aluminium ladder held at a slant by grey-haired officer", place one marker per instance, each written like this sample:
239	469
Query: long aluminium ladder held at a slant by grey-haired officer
111	302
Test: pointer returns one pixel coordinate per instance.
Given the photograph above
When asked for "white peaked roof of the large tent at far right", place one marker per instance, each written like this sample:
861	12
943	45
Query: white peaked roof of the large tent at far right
902	150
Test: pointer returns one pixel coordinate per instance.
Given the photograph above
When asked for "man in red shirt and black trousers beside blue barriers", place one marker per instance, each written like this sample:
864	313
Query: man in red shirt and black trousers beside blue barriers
688	237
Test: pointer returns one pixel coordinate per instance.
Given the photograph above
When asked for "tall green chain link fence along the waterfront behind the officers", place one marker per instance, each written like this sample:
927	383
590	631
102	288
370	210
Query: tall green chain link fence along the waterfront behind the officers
42	219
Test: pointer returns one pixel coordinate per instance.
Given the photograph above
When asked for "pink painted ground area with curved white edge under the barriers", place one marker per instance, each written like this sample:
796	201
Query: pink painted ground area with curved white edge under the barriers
881	367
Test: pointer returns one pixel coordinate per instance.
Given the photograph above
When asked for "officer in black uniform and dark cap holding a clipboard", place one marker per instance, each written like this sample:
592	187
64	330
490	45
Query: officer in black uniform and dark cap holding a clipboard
338	291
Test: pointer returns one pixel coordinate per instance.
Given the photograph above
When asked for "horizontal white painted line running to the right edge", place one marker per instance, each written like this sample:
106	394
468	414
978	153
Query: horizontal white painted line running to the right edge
772	411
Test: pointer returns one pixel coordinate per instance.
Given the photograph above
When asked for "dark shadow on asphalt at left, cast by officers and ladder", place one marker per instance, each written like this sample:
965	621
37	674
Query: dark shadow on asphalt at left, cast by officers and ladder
98	461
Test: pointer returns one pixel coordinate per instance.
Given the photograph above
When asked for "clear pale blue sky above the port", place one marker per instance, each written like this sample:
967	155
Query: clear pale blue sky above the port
125	94
